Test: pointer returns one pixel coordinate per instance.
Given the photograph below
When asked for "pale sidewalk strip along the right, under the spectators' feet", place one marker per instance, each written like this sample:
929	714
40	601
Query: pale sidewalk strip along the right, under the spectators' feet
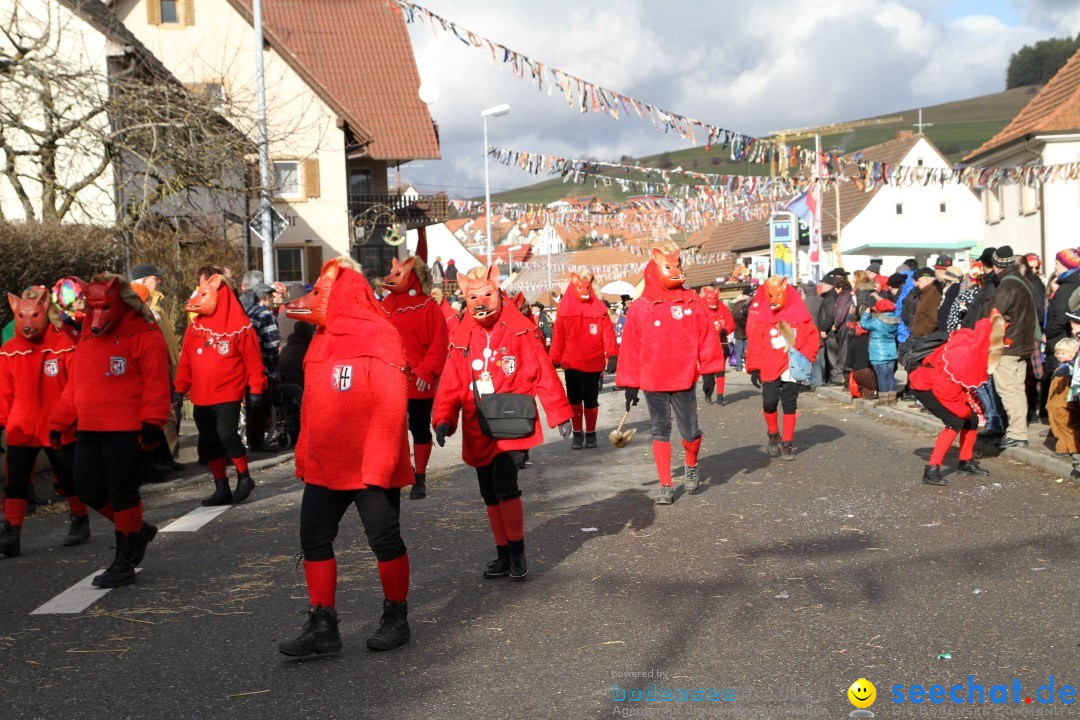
1038	454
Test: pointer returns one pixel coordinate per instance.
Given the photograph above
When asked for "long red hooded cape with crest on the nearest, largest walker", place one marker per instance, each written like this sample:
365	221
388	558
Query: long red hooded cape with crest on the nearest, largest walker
355	411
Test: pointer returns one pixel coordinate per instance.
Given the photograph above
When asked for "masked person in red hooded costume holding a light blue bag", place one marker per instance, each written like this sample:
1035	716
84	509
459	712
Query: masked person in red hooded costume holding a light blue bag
777	324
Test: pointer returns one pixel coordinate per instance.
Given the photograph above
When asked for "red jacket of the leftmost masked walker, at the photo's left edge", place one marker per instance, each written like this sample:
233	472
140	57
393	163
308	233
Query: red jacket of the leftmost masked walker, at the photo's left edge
33	376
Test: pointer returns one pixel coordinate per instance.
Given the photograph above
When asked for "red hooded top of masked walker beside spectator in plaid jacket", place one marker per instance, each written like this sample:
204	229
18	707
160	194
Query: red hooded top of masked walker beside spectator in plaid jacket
221	358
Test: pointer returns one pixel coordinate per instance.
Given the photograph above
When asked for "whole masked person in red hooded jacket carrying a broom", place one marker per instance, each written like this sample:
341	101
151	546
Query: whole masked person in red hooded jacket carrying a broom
667	343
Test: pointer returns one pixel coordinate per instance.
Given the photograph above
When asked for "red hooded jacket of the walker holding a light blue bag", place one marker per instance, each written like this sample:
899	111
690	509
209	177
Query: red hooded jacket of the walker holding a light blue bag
765	348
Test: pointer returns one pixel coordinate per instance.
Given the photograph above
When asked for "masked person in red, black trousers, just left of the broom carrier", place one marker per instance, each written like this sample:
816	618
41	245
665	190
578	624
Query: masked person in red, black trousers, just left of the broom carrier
585	346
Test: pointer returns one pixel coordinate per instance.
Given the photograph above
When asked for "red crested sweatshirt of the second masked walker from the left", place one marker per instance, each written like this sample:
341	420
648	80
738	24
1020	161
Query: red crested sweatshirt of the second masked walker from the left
117	382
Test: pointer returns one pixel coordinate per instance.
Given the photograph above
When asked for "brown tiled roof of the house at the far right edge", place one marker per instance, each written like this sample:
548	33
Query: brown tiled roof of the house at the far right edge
1056	108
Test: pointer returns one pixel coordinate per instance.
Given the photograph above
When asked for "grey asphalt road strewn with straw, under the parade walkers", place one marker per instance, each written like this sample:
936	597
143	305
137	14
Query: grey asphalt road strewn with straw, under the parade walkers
786	582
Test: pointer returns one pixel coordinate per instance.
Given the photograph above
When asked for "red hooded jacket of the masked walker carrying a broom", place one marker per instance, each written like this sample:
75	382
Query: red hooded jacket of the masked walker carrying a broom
668	339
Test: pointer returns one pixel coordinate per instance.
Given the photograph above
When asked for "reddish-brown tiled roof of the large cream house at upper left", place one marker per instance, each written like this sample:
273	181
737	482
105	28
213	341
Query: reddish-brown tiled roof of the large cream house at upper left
358	57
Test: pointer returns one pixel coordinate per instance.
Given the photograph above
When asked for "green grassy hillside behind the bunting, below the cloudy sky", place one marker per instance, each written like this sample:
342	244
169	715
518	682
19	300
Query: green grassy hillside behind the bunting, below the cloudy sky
958	129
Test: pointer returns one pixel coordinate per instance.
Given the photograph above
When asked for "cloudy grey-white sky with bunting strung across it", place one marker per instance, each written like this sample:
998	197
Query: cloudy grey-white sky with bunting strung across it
752	66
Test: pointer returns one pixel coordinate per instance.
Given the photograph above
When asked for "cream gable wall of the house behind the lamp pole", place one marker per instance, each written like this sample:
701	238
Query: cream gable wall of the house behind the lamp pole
219	48
